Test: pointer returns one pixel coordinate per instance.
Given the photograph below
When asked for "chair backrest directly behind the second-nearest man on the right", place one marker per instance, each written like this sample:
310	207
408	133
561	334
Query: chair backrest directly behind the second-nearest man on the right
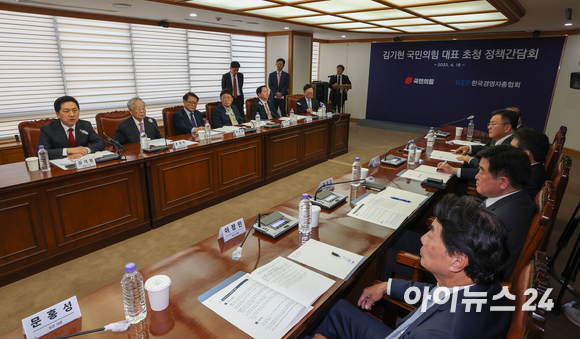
544	201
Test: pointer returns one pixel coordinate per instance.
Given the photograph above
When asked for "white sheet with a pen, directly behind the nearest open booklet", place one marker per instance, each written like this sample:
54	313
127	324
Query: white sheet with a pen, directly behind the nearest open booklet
319	255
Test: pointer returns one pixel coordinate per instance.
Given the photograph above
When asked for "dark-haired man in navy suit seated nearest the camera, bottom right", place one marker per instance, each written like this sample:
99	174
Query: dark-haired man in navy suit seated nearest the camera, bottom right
465	248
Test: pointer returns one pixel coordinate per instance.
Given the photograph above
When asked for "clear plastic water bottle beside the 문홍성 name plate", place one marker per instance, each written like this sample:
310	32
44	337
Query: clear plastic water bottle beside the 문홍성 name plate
133	294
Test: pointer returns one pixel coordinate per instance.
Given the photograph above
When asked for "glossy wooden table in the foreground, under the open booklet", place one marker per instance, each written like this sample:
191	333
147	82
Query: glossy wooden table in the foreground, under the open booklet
202	266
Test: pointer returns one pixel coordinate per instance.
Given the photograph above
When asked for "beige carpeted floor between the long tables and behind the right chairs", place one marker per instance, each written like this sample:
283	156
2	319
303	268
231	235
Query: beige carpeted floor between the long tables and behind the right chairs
88	273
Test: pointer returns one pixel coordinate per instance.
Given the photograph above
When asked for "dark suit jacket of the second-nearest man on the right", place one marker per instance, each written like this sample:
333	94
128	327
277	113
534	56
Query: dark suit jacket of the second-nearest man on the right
516	211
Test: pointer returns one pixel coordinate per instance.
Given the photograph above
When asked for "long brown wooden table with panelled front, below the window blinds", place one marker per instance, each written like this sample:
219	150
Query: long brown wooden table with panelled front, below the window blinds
52	217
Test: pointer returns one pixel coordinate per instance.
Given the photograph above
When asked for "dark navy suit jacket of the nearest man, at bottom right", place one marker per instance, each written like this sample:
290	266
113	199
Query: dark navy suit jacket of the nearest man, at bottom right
439	322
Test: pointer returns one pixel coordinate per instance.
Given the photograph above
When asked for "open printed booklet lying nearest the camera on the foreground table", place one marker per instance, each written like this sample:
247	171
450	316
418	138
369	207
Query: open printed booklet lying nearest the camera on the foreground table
268	302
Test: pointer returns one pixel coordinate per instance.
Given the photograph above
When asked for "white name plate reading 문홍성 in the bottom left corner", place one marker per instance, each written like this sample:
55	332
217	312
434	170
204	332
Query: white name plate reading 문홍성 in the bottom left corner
51	318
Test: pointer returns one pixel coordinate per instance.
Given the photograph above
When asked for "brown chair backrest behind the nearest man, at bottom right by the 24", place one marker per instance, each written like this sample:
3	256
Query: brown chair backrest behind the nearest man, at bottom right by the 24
530	324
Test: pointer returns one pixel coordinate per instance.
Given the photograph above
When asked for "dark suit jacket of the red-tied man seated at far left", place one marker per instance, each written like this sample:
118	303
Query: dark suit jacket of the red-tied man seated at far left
54	138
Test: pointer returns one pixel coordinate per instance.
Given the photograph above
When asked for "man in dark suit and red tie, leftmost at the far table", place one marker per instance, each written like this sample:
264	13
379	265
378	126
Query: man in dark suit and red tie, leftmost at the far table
69	137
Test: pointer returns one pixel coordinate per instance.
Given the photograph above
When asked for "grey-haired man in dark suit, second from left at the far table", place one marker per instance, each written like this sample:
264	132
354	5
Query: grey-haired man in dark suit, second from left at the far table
129	130
